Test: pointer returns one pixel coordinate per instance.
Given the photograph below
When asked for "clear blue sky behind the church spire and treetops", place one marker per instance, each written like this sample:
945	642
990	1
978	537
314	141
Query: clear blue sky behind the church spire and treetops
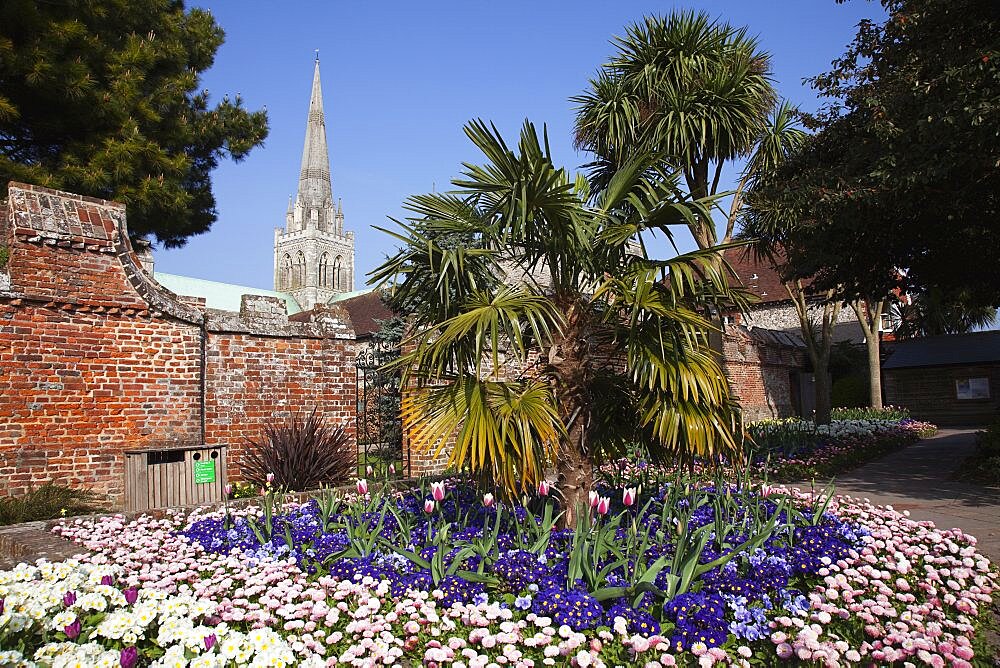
400	79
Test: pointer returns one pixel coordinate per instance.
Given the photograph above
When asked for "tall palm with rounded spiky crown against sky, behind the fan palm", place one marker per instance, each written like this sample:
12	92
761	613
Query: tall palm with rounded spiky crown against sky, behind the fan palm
696	92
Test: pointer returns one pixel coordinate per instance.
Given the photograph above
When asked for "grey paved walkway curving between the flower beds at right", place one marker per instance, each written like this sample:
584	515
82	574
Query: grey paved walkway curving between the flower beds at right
918	479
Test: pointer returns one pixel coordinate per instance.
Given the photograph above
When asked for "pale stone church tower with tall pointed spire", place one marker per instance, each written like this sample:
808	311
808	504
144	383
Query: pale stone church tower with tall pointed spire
313	255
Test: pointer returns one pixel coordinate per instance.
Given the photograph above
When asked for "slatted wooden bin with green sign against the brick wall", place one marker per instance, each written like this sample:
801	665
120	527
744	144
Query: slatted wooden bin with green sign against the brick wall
165	477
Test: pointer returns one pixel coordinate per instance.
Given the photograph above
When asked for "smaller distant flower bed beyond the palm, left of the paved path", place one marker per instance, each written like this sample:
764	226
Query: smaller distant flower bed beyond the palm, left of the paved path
793	449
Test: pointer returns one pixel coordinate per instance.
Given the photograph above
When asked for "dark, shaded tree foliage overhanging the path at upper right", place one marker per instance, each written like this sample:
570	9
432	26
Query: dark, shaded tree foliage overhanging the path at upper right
904	171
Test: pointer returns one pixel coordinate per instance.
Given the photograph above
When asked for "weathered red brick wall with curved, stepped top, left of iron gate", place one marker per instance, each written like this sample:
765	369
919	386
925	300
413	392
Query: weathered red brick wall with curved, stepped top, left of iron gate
96	358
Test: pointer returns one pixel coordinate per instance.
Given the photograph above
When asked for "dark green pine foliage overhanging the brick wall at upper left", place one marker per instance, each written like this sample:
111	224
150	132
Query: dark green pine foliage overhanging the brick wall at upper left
101	98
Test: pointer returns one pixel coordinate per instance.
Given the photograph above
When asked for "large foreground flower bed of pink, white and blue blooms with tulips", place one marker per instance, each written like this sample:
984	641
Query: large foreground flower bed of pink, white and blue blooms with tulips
848	584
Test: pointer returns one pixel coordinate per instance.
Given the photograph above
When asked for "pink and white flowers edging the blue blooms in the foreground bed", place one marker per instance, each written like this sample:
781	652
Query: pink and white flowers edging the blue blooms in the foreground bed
150	595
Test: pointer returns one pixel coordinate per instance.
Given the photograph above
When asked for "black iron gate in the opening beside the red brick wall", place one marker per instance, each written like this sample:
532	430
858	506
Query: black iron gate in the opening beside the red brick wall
379	425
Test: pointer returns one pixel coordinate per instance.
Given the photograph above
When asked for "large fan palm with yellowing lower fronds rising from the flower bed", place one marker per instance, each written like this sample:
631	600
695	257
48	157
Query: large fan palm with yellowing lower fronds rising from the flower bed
542	334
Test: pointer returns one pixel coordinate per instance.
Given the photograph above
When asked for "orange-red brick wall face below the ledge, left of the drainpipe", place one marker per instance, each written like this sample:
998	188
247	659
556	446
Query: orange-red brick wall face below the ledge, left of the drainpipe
77	389
